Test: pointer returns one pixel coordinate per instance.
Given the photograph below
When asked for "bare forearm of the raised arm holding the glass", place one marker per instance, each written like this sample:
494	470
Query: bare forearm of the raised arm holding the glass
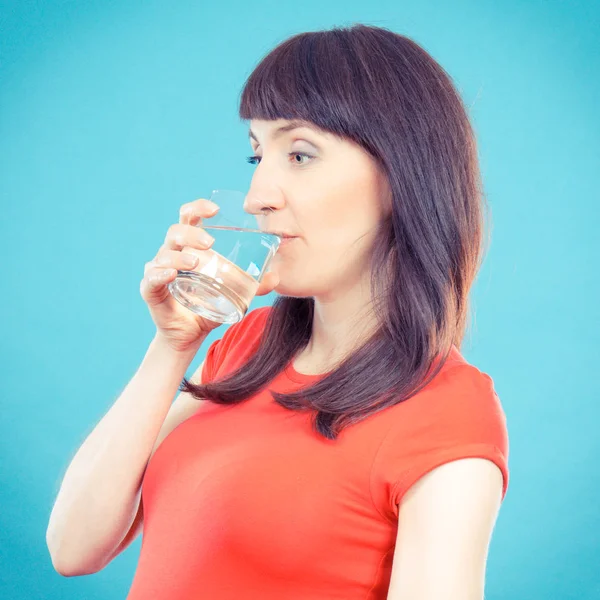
99	495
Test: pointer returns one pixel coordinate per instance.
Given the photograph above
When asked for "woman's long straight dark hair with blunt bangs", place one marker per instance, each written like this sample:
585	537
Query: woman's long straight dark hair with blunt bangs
384	92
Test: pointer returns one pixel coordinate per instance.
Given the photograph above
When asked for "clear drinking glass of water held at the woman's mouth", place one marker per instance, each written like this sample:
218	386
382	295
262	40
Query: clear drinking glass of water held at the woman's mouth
222	285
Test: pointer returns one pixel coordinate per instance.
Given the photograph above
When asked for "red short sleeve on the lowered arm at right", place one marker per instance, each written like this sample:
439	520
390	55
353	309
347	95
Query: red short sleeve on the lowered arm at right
459	417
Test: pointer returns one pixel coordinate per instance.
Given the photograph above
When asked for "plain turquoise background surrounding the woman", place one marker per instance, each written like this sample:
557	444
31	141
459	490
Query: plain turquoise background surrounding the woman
113	114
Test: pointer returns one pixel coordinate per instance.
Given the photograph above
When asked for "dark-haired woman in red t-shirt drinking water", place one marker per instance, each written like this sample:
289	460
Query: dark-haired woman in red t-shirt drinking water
343	447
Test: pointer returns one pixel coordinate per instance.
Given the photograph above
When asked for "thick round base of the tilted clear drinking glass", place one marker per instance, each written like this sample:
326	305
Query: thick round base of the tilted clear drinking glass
207	297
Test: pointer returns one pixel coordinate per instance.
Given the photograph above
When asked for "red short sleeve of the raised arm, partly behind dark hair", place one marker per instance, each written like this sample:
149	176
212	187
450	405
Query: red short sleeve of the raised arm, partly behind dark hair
233	347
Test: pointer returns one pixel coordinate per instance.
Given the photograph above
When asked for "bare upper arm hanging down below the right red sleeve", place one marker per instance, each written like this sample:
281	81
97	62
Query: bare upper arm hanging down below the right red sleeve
445	523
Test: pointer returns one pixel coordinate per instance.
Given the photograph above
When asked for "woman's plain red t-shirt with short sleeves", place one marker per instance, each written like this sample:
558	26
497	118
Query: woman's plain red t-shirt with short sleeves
247	501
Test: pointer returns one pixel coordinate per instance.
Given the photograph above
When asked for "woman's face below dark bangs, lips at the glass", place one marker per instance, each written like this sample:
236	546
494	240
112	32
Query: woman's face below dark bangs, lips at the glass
326	191
